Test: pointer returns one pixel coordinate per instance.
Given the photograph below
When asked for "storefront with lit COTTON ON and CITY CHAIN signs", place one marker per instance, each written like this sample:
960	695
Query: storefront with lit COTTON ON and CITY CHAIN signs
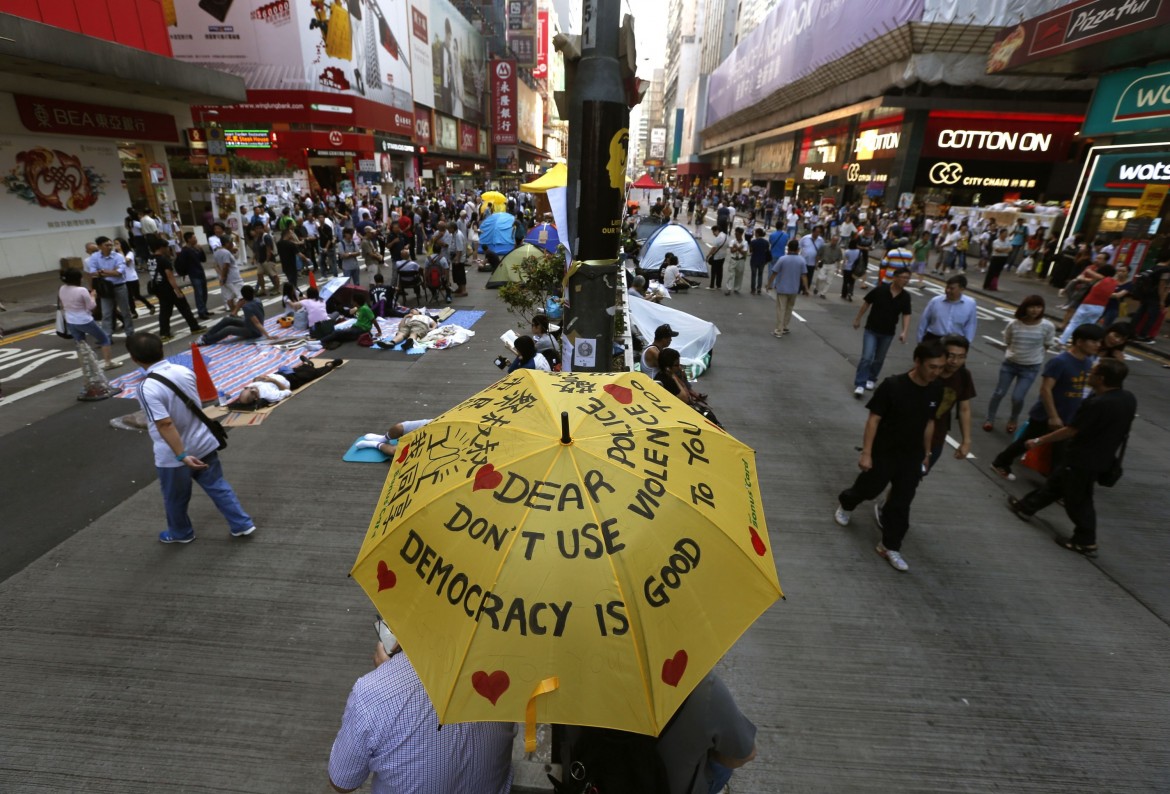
983	158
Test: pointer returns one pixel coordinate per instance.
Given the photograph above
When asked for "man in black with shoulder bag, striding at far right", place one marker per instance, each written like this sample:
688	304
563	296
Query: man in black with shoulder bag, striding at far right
1098	431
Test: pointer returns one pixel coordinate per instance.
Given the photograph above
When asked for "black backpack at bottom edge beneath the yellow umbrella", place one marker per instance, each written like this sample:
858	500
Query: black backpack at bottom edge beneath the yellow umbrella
609	762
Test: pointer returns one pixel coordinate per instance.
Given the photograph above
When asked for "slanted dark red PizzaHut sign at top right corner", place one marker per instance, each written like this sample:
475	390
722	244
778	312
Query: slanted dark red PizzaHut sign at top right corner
1073	26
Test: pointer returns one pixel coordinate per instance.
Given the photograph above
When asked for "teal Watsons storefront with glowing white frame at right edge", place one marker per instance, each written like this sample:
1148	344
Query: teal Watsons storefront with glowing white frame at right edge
1123	191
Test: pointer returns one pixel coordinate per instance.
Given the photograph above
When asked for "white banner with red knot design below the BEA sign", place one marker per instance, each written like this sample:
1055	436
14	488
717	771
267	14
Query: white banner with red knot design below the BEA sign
64	185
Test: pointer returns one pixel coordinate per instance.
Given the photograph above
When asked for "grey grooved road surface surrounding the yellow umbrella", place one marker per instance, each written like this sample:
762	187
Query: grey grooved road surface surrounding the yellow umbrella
1000	662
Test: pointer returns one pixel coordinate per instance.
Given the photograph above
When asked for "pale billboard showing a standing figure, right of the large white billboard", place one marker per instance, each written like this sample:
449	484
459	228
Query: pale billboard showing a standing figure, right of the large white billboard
448	60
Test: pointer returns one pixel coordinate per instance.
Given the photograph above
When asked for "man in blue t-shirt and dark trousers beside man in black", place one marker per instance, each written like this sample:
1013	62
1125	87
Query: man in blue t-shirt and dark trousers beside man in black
1063	386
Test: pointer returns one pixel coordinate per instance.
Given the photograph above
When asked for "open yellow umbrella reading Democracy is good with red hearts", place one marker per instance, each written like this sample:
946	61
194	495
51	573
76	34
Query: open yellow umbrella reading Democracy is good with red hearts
568	548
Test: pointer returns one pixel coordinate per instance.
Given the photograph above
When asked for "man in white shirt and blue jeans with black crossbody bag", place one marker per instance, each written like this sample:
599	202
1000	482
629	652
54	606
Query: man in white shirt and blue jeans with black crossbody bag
185	450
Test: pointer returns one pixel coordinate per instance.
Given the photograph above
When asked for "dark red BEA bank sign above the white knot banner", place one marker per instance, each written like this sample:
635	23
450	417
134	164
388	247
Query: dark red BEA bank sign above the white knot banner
59	118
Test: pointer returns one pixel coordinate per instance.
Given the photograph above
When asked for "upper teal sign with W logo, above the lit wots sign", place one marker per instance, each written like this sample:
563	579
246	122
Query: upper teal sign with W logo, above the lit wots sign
1131	101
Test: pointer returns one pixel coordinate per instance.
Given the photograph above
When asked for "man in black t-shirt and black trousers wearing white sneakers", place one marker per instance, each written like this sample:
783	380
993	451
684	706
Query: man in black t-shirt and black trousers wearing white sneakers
896	448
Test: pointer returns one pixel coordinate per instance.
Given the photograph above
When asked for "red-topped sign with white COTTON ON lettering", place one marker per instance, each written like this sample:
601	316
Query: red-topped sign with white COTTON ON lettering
988	136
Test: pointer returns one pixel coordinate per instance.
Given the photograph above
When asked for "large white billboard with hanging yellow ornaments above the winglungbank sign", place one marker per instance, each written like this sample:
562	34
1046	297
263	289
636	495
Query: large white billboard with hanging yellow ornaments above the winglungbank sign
353	51
